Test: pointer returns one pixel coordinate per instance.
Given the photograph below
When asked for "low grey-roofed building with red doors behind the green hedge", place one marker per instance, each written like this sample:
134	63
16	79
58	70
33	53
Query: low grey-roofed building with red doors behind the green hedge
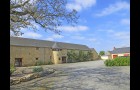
118	52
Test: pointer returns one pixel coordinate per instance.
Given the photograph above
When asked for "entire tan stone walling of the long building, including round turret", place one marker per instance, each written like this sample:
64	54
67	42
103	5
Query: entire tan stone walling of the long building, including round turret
31	55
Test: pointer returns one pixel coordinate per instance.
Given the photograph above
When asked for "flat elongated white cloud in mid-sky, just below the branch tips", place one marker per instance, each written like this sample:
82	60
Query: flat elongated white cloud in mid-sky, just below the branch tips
73	29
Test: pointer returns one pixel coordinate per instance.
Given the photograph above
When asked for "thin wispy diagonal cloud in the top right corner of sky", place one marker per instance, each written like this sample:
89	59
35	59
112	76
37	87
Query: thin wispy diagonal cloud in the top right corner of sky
114	8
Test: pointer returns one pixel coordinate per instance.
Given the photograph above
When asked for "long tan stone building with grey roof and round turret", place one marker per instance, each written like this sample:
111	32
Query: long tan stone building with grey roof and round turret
26	52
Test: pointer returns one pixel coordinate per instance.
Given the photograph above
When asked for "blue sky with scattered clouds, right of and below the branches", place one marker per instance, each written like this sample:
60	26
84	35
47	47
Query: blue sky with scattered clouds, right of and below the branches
102	25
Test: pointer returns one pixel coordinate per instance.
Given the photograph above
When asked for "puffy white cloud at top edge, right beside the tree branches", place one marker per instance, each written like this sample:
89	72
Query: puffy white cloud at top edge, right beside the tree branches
80	4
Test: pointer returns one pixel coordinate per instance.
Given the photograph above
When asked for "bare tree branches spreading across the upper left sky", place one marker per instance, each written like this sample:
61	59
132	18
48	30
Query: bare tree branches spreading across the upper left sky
49	14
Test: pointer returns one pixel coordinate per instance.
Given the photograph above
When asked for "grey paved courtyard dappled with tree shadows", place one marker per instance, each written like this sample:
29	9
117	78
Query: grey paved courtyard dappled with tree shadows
91	75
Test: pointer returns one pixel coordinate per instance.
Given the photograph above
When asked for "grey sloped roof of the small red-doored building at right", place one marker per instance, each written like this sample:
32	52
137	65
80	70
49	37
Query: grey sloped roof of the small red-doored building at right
120	50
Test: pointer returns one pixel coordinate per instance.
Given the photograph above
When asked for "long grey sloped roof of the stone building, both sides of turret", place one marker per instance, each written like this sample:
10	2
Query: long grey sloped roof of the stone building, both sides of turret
44	43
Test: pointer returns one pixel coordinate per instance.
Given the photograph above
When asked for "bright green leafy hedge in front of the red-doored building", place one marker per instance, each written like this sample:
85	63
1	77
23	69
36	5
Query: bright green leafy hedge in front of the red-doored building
119	61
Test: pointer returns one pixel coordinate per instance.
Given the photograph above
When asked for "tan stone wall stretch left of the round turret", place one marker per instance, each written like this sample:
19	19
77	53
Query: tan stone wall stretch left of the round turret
29	55
